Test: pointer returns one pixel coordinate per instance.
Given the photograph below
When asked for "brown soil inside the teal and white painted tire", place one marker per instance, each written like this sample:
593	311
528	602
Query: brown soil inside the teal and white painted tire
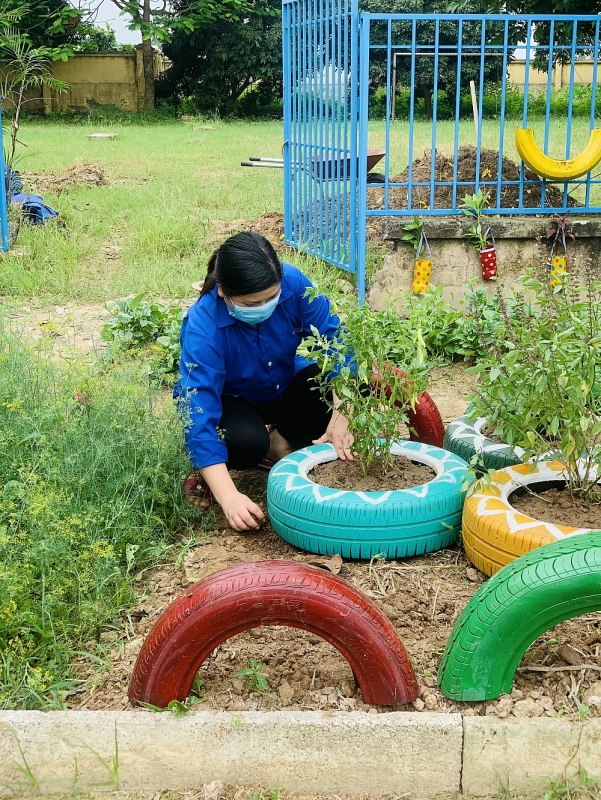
403	474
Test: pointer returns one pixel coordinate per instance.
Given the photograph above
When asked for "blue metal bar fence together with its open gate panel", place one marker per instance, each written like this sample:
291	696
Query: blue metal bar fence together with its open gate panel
334	60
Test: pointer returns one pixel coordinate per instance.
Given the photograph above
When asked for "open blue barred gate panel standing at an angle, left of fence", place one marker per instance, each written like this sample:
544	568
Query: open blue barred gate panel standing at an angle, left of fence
321	104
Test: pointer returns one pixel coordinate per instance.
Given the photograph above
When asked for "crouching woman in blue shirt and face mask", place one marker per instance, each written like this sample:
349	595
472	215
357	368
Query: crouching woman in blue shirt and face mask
240	375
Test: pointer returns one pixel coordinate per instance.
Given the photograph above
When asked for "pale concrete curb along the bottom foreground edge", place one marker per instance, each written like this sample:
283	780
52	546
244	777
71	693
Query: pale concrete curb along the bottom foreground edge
421	755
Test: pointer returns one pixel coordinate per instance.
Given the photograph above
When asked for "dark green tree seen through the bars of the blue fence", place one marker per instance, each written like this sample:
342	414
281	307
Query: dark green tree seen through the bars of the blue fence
425	31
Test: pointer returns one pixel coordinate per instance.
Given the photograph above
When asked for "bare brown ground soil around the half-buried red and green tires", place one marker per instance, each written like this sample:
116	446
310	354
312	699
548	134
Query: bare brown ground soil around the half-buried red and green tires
422	597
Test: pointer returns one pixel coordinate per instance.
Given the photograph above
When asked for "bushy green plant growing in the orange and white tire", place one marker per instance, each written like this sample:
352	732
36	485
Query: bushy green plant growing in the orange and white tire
537	385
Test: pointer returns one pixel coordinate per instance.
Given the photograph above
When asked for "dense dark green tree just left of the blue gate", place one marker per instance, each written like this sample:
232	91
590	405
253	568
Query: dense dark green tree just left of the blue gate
216	63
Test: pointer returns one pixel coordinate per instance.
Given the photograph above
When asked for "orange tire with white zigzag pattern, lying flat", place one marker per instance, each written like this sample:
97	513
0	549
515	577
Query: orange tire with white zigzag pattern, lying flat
494	532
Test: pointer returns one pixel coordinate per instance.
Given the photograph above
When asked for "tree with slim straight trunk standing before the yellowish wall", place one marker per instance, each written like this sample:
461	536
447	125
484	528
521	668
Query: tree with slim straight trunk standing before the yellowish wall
159	20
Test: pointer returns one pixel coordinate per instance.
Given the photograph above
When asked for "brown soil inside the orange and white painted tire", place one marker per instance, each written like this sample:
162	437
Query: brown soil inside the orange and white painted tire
560	507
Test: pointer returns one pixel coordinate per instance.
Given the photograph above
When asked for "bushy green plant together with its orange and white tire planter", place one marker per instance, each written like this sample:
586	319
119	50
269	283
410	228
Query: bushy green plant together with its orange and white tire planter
539	392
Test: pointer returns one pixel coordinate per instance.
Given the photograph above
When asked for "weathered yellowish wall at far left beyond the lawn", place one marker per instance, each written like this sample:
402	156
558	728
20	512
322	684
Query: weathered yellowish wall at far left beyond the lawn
115	79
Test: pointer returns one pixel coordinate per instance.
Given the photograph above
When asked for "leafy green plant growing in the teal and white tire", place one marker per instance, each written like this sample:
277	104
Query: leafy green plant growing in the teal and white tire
371	343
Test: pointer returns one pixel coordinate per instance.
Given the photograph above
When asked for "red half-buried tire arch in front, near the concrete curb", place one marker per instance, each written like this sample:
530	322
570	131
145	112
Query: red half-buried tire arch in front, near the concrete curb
259	593
